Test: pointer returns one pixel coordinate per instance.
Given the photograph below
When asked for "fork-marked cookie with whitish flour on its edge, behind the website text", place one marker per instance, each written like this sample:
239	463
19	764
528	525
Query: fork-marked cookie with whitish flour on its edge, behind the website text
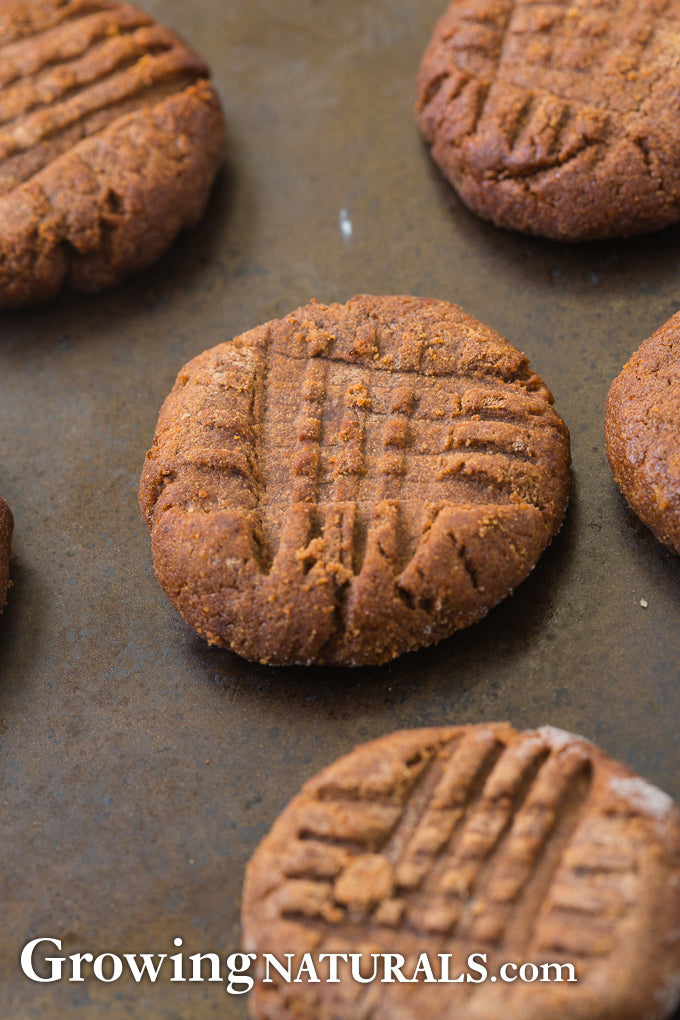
464	850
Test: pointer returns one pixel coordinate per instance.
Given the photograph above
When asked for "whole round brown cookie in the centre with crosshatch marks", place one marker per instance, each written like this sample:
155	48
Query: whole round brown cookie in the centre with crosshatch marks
352	482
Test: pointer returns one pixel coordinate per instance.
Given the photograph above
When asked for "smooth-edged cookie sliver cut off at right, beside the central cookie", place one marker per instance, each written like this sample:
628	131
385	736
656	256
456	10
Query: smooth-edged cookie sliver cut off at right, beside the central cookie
643	432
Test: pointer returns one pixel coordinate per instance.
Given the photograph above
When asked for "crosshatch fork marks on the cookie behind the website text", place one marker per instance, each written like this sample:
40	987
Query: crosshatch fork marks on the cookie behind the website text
474	851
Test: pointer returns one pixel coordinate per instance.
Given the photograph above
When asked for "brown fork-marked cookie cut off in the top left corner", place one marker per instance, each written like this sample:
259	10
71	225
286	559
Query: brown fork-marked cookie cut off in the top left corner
111	138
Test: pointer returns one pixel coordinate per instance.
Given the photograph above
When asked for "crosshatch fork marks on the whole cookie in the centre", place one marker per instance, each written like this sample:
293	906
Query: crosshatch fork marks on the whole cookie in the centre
360	436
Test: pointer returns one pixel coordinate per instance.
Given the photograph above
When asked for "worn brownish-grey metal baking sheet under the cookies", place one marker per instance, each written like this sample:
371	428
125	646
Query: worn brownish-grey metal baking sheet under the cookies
140	768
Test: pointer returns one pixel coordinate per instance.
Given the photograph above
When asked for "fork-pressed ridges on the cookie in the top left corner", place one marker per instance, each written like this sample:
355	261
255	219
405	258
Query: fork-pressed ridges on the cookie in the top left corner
77	78
